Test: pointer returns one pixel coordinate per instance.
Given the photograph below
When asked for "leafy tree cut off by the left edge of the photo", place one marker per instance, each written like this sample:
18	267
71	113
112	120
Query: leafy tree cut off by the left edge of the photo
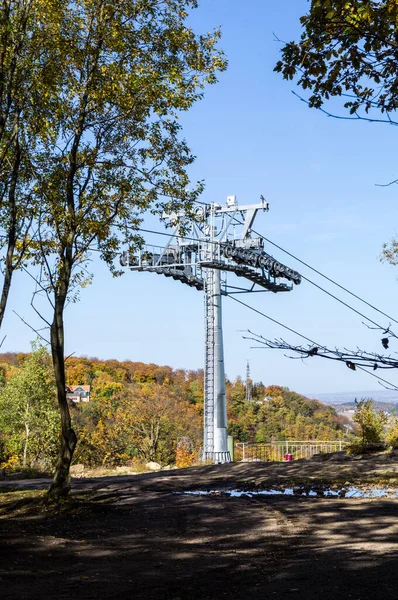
29	75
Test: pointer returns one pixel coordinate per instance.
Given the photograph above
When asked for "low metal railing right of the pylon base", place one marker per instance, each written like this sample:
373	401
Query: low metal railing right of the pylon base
276	451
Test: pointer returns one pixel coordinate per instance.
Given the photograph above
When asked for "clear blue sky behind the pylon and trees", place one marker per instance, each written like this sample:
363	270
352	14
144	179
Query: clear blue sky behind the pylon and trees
251	136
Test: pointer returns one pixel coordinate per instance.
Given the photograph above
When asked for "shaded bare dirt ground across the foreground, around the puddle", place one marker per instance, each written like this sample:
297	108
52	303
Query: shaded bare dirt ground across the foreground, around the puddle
134	537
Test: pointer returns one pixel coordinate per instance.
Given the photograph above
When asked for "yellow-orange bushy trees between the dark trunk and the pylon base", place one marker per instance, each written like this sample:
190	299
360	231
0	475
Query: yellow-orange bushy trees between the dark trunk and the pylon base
144	421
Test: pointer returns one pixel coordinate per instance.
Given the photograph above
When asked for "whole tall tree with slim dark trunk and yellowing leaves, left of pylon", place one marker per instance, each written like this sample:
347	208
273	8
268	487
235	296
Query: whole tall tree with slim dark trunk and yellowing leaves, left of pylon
116	150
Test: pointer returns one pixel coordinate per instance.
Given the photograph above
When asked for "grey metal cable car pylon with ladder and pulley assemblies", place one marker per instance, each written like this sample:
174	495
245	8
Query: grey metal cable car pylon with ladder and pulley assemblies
219	242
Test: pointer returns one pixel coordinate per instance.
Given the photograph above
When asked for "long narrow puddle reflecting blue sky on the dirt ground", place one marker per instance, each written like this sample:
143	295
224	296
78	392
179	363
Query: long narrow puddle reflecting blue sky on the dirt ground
343	492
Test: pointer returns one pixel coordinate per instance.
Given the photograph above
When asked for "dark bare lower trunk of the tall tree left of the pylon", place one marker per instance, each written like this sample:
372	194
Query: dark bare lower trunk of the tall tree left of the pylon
61	482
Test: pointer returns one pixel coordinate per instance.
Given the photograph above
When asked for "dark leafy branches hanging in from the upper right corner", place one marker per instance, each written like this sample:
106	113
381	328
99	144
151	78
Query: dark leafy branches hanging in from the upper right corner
349	49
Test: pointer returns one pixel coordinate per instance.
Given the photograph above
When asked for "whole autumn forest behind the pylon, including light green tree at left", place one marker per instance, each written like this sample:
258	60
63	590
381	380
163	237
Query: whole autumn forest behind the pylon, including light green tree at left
138	413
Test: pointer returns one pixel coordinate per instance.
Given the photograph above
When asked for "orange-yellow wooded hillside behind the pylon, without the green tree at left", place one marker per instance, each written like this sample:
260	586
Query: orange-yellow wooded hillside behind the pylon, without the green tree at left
141	412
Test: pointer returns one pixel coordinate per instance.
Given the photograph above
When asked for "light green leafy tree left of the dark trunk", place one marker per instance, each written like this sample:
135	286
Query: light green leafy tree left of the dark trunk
29	418
